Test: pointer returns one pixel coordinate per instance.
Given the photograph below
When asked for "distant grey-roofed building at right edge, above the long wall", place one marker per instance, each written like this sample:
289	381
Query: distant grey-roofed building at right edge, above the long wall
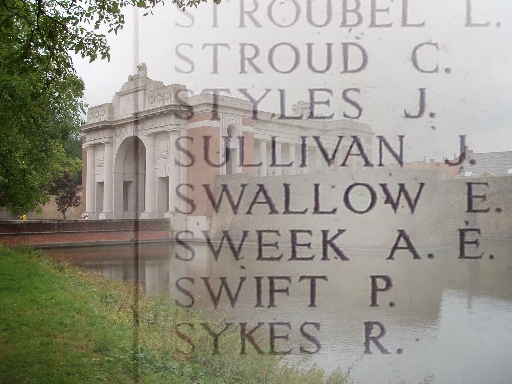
486	164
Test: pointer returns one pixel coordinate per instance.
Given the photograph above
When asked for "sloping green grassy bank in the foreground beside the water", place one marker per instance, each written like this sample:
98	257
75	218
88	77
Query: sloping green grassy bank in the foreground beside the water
61	324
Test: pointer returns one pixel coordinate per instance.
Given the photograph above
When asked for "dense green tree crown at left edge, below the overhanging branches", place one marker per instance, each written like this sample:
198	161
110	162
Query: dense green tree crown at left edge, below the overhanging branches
37	115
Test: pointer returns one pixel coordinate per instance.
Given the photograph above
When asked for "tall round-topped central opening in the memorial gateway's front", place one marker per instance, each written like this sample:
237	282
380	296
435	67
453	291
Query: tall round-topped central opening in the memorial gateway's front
129	179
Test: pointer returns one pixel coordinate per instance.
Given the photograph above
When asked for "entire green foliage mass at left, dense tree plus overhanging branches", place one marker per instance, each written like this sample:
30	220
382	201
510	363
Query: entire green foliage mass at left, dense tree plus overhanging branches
41	96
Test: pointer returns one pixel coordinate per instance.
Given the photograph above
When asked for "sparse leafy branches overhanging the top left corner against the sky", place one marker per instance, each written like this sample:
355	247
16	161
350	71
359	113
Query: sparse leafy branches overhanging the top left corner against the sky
55	27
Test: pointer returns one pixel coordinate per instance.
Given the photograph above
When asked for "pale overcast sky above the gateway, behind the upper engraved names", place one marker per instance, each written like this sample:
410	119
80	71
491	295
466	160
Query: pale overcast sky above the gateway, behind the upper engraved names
467	78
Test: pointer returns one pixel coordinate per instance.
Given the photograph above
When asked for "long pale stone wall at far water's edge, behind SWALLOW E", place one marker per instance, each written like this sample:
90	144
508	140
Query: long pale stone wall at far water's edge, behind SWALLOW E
342	199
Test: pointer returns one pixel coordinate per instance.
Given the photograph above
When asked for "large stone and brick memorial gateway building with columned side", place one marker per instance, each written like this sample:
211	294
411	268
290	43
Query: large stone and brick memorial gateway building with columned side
148	153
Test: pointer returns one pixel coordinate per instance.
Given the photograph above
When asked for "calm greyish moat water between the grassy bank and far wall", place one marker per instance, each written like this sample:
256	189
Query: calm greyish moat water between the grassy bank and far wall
446	316
